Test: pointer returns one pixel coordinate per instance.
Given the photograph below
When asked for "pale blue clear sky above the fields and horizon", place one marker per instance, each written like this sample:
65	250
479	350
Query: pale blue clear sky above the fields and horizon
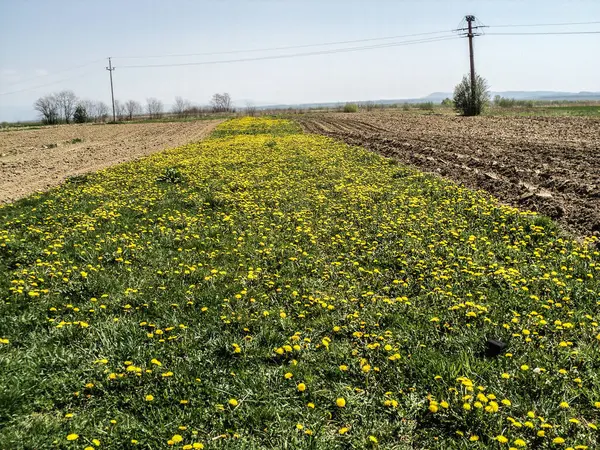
48	46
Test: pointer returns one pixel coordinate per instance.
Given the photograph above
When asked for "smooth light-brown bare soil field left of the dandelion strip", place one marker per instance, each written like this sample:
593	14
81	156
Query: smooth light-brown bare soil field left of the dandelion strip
27	164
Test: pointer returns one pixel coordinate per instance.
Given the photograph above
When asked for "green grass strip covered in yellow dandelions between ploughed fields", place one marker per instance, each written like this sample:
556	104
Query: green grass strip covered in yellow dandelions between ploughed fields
265	288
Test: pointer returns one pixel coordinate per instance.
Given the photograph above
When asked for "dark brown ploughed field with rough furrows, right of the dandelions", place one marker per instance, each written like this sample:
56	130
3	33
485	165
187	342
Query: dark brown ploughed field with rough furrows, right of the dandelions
546	164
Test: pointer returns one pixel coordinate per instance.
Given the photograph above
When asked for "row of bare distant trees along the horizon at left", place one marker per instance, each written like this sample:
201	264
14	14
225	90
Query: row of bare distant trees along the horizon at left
66	107
